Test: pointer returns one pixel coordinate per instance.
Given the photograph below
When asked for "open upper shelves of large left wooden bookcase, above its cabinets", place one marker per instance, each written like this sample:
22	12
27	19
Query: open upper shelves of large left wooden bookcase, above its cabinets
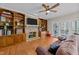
11	22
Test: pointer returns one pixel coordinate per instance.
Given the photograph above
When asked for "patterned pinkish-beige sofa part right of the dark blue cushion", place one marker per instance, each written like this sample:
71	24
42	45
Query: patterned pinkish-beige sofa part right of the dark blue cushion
69	47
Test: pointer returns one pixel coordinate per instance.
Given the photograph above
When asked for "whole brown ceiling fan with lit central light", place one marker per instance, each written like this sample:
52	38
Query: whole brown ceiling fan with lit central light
48	8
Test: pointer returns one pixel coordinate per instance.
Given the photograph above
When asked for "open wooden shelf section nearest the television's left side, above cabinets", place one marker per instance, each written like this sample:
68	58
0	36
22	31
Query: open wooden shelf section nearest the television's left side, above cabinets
19	25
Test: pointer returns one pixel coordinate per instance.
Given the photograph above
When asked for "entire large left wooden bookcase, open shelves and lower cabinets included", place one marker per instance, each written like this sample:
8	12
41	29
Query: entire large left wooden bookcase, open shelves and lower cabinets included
12	27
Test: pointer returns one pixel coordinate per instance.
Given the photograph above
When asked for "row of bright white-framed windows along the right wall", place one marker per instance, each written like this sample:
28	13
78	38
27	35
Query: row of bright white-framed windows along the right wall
66	27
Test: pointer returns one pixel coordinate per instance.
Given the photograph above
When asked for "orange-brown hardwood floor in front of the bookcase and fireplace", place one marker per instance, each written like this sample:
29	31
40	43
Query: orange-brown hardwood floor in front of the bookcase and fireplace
27	48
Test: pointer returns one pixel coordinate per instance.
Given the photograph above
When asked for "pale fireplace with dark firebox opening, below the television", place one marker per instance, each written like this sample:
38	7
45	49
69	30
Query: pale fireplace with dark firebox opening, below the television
32	32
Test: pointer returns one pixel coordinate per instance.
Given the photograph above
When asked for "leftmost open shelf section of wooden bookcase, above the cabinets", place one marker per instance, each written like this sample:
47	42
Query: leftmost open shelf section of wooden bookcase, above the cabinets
6	22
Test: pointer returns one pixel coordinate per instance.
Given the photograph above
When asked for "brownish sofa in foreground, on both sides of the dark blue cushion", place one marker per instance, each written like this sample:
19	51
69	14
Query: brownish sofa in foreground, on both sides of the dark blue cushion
67	47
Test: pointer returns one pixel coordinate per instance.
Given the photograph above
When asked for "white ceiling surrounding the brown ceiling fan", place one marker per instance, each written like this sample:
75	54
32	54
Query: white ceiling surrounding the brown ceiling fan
34	8
